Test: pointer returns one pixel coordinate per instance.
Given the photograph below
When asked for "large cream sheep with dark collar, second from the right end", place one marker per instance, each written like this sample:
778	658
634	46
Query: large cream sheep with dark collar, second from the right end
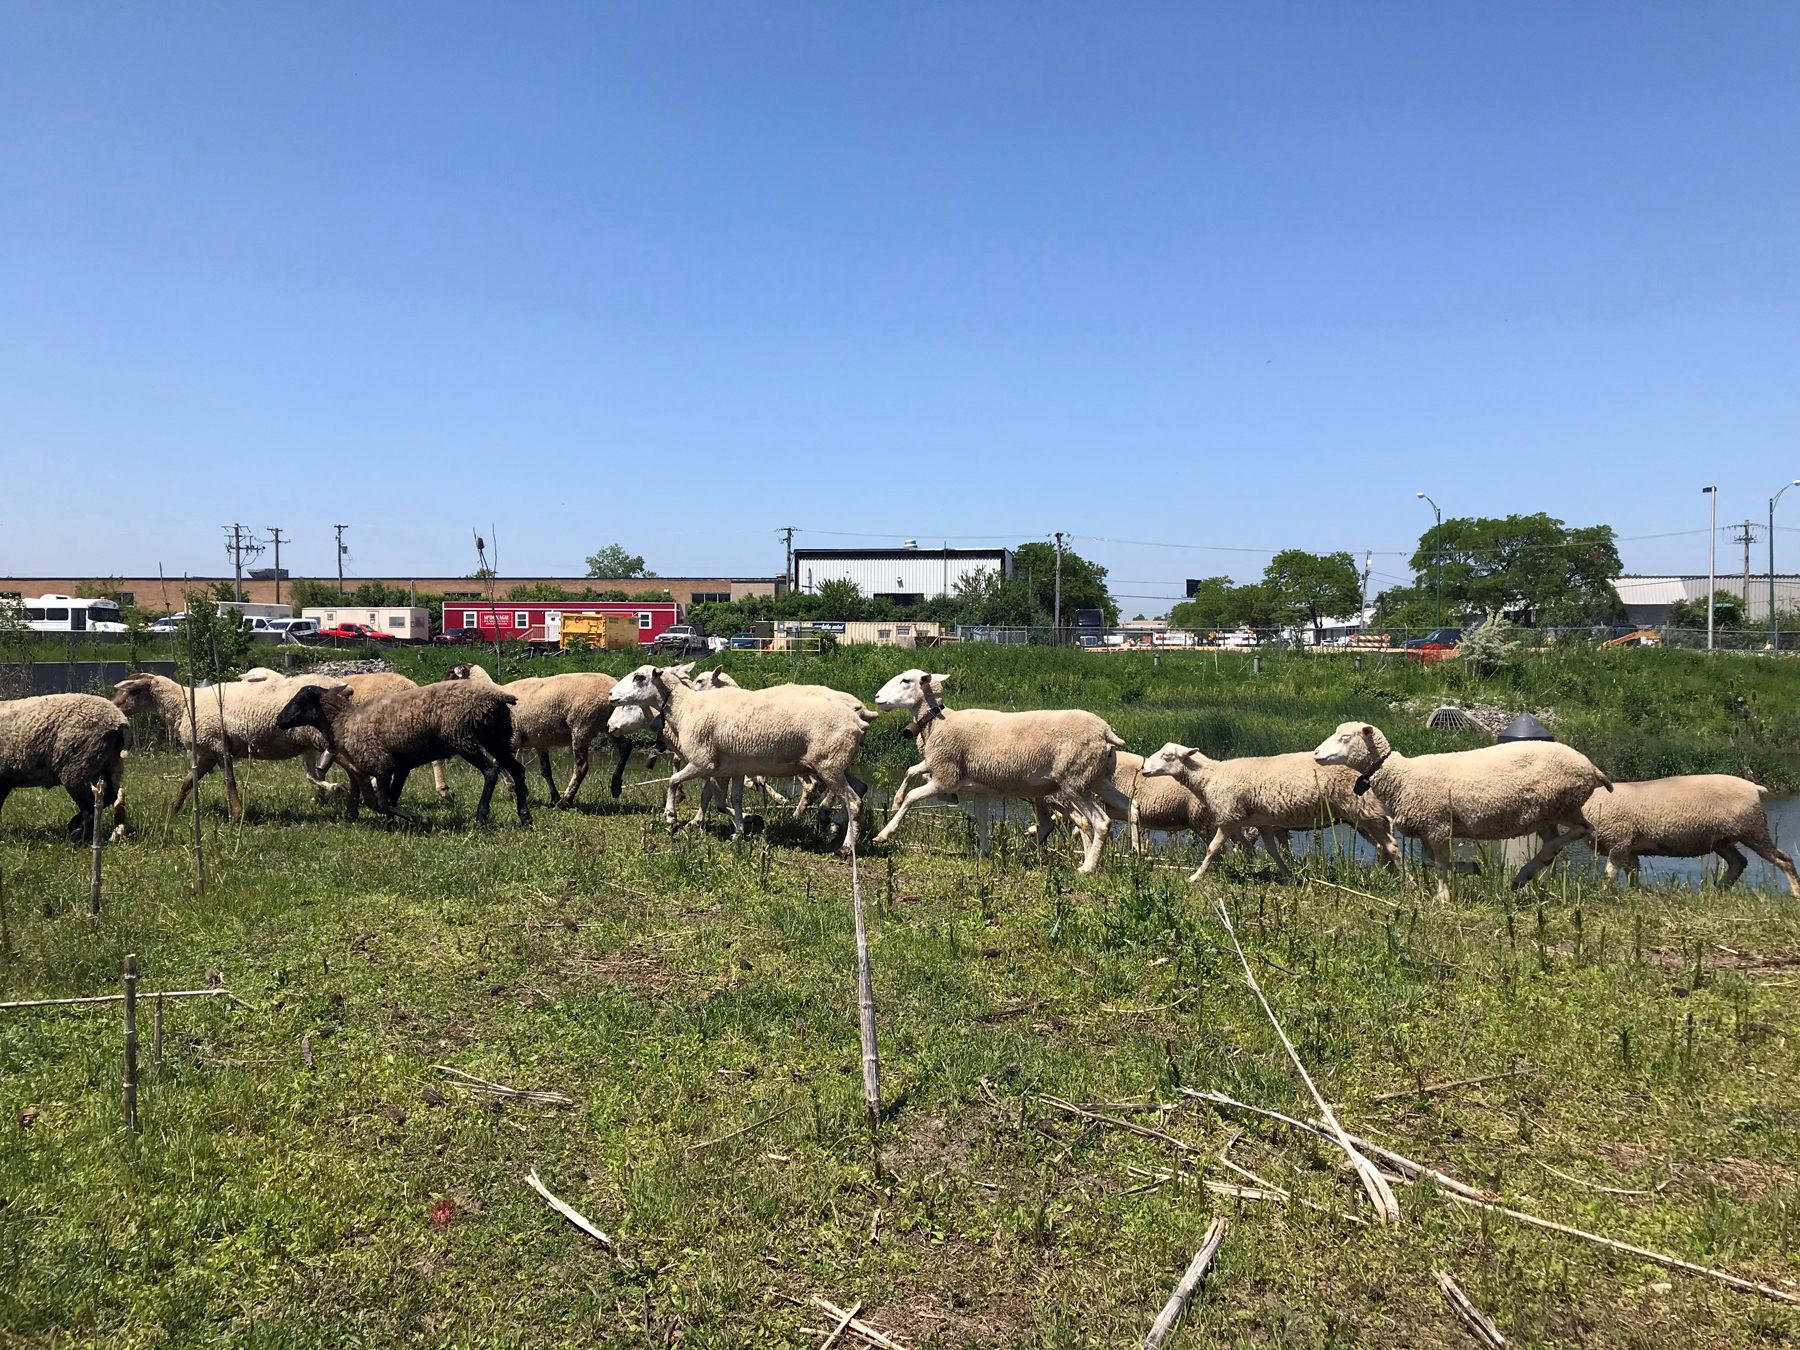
1495	793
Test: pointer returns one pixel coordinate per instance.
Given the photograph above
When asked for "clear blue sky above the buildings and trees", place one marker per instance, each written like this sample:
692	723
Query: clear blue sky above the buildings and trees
1236	276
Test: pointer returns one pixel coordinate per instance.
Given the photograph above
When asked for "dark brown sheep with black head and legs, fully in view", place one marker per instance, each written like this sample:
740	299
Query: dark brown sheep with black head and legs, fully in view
386	739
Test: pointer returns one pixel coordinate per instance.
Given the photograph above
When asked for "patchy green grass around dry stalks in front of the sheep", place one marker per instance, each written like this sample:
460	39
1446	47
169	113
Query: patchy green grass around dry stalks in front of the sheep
687	989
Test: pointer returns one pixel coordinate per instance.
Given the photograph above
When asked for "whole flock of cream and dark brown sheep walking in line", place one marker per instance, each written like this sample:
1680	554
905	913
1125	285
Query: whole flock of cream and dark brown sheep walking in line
1068	764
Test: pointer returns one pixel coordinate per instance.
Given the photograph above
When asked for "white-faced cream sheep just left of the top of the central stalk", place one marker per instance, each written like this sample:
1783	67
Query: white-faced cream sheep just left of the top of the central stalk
735	733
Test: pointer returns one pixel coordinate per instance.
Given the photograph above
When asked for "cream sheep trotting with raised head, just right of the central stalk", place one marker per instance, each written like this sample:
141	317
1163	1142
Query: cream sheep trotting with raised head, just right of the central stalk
1065	759
